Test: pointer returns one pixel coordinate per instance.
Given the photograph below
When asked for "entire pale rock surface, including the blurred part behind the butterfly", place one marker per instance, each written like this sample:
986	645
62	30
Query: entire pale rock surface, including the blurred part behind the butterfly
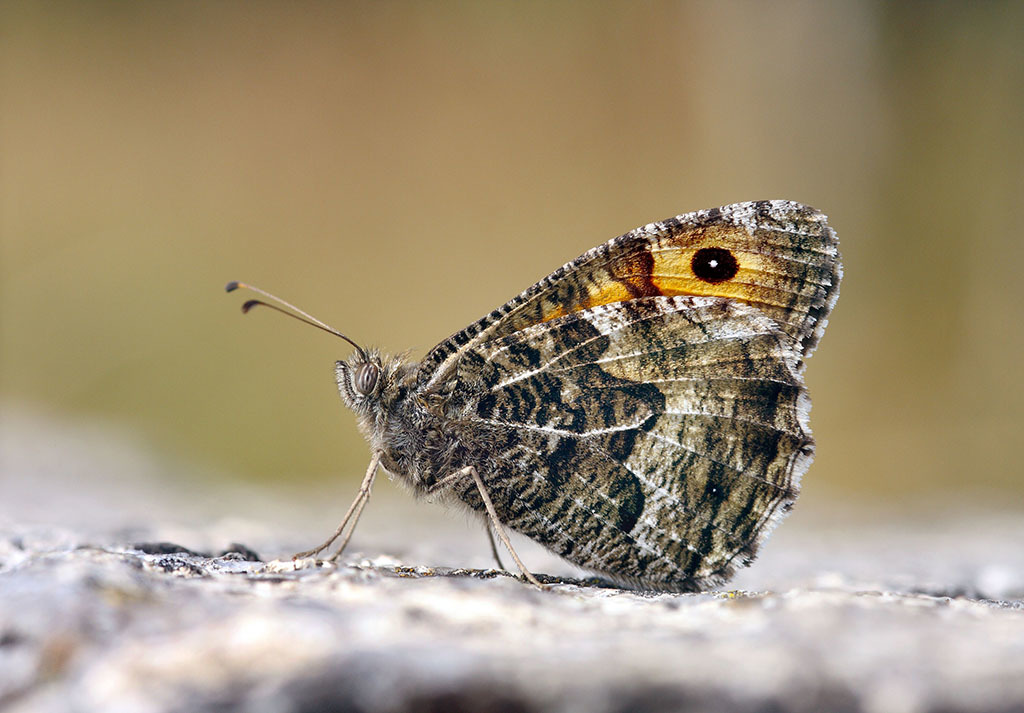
846	609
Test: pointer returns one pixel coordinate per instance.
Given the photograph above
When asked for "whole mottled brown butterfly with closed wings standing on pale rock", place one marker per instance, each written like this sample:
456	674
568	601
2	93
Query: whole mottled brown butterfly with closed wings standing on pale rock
641	412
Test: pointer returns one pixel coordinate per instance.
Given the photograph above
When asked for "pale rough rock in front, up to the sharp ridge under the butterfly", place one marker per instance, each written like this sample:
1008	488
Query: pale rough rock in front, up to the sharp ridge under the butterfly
100	626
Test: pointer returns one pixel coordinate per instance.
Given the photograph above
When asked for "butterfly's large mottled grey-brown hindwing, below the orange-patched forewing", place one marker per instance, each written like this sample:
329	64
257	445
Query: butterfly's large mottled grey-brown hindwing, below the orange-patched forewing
656	441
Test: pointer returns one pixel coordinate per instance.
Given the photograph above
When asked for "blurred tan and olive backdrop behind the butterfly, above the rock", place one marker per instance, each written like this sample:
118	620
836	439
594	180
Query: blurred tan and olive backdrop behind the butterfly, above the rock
401	170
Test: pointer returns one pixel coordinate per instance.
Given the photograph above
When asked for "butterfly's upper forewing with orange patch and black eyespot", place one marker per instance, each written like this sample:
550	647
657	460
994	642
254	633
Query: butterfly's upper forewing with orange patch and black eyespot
779	257
